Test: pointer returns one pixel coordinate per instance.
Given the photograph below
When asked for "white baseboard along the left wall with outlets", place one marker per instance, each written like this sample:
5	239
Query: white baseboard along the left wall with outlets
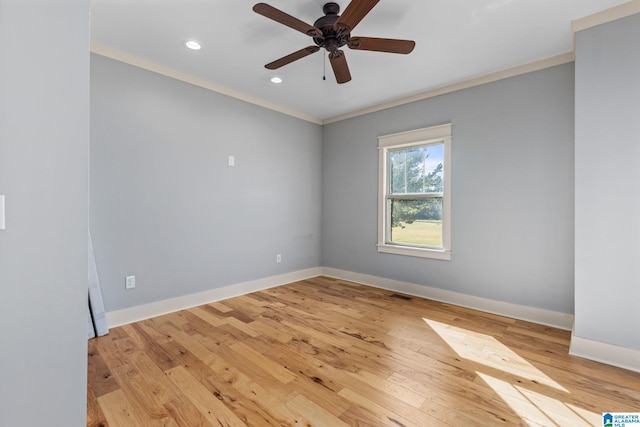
158	308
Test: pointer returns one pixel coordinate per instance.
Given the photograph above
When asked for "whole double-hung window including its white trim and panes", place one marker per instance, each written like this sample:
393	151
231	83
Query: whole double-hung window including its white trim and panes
414	198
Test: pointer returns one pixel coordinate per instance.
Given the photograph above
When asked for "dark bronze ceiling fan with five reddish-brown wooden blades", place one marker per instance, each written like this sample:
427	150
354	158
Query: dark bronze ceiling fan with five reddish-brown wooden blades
331	32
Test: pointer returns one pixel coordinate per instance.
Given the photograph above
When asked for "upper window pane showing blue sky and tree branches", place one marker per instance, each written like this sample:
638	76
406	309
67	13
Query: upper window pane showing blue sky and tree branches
416	169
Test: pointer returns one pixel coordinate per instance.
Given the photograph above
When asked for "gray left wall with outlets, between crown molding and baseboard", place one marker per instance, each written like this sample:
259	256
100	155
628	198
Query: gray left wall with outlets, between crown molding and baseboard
165	206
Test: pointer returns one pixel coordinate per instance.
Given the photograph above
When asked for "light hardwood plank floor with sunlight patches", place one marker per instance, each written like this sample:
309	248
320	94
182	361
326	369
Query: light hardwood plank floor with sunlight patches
326	352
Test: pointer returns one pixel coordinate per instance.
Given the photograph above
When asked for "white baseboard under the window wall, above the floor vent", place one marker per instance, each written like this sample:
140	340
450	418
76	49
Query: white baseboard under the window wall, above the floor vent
531	314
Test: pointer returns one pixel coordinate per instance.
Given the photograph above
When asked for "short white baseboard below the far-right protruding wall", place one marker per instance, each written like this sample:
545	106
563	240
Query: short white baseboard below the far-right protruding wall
610	354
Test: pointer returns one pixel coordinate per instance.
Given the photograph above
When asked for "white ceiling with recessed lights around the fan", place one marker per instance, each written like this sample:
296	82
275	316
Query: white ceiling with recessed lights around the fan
456	40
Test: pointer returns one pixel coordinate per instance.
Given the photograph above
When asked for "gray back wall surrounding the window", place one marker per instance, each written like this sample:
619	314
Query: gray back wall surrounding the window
512	191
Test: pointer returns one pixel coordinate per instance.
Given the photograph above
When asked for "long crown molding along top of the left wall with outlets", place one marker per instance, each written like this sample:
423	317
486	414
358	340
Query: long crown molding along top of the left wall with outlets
118	55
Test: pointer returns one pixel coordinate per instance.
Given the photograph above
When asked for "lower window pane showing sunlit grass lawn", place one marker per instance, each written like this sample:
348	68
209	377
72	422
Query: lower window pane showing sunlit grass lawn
417	222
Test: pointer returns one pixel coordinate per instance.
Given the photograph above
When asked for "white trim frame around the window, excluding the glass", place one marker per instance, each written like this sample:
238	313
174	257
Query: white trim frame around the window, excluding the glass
441	133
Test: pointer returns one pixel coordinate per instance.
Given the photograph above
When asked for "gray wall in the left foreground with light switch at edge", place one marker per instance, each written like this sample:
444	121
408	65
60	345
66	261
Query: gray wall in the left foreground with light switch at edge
44	142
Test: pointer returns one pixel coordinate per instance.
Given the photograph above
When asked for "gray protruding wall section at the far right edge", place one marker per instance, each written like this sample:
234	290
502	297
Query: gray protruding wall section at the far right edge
608	183
